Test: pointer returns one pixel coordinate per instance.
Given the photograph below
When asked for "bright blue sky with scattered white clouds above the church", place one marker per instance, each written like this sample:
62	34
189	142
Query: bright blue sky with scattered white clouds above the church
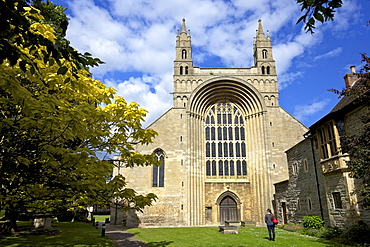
136	39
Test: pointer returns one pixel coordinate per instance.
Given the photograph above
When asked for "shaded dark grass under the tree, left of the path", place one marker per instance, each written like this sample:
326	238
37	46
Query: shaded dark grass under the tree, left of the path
76	234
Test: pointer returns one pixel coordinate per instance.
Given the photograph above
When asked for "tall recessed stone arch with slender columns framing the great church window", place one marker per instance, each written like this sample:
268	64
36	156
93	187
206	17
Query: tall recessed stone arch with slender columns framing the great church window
251	103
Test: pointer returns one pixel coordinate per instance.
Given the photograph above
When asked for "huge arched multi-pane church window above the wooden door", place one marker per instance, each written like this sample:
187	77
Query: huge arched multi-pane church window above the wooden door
225	142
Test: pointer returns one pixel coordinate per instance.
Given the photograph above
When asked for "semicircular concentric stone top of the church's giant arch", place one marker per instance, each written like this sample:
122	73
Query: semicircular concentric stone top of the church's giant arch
232	89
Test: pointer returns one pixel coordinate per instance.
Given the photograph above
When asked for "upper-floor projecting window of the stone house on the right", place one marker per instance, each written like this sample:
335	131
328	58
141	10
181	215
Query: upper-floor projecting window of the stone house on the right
327	141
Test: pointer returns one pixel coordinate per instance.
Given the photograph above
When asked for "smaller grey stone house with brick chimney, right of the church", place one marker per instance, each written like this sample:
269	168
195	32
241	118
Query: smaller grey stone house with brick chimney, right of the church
319	182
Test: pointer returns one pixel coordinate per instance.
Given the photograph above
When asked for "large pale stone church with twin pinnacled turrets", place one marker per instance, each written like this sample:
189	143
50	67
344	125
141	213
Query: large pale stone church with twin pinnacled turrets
221	144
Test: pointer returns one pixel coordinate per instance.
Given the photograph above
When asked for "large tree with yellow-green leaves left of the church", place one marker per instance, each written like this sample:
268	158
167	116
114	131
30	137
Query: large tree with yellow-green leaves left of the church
55	119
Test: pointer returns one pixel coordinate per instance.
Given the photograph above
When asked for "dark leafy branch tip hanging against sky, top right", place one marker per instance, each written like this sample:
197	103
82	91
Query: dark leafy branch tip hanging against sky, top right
317	10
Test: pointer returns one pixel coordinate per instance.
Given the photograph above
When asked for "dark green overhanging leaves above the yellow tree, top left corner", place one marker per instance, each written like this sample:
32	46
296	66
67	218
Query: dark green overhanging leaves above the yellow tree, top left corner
17	22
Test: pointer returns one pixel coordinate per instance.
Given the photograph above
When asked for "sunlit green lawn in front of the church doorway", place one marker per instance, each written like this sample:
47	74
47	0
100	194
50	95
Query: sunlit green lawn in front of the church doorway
209	236
